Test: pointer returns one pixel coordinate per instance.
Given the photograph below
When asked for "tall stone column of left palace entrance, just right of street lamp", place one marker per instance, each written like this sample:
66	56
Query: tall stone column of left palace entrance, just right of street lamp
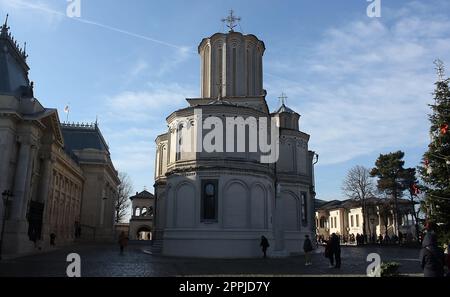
20	181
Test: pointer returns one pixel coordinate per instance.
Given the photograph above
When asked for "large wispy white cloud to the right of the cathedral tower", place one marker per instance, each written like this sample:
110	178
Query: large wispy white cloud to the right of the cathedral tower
366	85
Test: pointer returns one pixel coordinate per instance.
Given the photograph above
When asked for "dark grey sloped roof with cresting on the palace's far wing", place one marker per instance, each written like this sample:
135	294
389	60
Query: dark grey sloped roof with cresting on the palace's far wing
78	137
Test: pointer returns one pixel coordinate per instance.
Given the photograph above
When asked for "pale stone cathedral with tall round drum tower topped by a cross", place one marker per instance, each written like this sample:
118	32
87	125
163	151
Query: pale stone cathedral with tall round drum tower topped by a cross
216	191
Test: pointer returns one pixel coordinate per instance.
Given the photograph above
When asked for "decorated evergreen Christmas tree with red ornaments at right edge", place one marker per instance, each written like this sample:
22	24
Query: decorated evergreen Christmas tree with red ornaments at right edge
435	170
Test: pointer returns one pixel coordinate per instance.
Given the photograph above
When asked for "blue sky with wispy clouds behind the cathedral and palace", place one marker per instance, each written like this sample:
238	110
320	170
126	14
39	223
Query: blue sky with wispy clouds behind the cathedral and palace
361	84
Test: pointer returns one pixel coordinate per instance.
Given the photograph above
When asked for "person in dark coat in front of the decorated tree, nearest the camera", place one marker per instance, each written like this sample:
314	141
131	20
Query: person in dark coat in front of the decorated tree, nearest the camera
431	256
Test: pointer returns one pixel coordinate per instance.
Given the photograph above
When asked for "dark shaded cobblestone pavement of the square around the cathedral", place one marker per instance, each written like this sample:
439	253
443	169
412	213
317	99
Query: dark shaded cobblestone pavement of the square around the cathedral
105	260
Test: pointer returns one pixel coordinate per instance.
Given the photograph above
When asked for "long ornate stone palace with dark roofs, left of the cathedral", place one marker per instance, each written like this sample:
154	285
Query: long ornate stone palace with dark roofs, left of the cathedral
57	179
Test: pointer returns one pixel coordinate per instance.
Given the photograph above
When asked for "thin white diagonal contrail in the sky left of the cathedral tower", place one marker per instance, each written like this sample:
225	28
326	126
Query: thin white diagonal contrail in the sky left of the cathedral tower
85	21
